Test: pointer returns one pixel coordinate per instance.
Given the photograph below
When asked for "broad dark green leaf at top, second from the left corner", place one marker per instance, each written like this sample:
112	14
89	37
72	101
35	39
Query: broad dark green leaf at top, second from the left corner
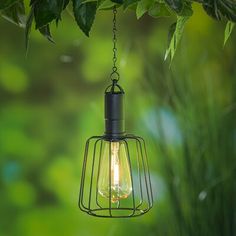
47	11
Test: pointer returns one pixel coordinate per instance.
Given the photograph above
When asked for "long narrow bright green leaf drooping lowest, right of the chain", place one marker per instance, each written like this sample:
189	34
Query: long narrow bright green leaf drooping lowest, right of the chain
175	34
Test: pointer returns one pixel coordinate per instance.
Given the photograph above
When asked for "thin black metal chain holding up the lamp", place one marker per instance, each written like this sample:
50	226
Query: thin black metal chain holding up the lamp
115	76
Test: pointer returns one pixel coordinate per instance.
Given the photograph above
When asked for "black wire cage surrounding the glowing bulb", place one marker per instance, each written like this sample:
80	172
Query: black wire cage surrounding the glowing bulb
139	201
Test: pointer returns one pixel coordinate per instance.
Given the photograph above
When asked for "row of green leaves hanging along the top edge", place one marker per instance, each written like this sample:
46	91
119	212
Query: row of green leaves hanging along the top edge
44	12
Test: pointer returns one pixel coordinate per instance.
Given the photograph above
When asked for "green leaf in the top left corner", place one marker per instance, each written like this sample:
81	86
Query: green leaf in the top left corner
15	13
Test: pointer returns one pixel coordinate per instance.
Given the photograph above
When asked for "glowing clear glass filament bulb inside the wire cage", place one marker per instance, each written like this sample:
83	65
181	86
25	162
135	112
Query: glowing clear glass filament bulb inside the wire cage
114	174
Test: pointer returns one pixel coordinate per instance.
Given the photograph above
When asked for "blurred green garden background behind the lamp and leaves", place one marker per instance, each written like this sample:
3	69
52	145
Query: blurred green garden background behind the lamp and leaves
52	101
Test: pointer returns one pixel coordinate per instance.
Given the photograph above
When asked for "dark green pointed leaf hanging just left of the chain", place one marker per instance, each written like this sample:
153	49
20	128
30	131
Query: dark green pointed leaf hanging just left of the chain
84	14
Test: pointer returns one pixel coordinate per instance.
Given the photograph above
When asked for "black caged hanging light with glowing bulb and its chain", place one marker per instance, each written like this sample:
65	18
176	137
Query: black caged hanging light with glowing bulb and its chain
115	178
